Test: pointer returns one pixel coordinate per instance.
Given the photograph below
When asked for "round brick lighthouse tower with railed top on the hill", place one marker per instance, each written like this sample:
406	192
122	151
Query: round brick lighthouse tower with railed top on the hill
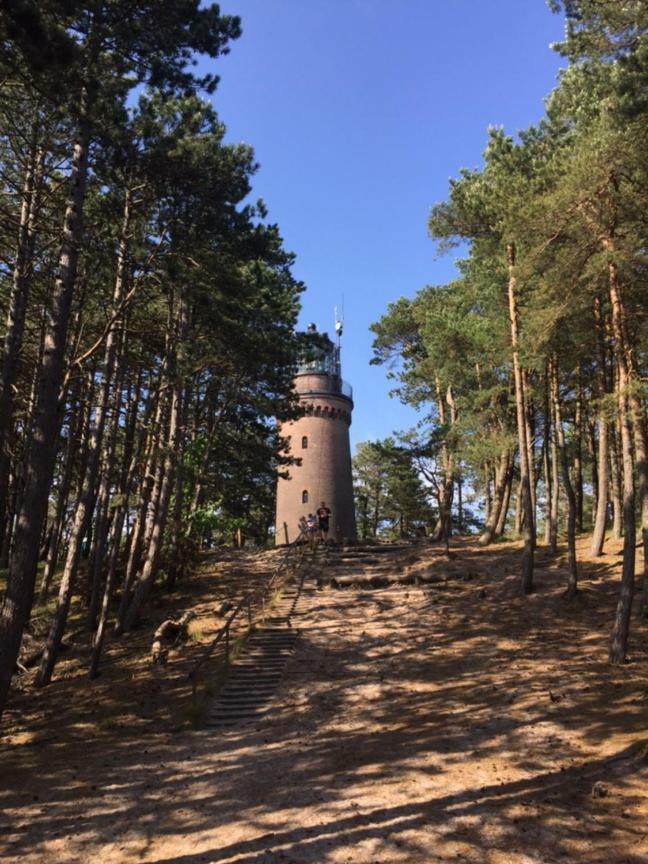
320	439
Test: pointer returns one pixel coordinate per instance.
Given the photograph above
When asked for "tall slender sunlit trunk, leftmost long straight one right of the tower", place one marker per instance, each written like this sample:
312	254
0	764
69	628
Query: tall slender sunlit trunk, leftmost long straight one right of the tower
526	583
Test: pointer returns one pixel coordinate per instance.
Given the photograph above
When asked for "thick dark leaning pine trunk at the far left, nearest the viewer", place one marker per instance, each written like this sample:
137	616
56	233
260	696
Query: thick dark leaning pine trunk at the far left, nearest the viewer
21	577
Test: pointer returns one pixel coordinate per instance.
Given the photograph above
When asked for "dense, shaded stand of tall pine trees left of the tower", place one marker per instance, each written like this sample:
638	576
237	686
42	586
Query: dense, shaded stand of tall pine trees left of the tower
150	314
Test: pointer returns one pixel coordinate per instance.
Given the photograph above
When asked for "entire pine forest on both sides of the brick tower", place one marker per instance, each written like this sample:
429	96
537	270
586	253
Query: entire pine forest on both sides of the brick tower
150	317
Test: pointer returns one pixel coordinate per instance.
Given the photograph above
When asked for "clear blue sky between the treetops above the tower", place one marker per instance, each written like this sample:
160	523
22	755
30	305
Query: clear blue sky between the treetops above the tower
359	112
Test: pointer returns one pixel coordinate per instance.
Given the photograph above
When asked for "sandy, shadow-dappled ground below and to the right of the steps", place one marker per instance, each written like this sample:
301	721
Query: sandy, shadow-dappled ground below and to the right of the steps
451	723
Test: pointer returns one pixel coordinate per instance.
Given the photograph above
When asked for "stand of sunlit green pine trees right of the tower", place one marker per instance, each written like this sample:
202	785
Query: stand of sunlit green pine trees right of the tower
531	366
